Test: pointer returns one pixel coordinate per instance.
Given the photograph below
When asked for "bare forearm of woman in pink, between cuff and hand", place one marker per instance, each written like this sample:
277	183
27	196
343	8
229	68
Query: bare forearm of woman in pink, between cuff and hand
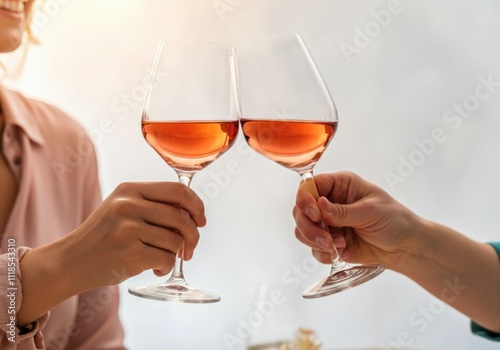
46	281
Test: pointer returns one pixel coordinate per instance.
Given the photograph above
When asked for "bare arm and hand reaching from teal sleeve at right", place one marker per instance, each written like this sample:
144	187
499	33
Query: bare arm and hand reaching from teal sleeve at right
369	225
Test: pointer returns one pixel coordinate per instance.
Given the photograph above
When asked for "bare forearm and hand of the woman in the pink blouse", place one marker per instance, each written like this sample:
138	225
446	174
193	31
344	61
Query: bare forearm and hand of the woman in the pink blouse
138	227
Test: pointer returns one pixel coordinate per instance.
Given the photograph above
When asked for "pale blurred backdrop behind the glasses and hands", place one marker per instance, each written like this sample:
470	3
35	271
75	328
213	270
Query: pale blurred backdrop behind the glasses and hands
400	72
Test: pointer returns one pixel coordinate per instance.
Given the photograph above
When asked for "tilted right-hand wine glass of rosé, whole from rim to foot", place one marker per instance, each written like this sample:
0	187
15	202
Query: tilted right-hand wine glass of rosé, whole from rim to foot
288	115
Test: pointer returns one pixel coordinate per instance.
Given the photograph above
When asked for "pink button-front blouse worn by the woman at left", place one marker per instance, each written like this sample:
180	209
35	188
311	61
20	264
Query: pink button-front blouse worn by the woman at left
54	162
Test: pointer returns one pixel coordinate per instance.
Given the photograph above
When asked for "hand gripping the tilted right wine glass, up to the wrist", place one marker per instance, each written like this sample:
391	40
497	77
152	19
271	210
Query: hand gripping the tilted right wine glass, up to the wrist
366	224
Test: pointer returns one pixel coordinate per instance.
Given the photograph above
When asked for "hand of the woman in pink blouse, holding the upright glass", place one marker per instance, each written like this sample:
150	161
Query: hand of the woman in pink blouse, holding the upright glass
140	226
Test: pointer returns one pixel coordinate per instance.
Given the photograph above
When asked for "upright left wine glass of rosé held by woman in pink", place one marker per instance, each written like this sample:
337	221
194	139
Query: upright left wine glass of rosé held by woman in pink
190	119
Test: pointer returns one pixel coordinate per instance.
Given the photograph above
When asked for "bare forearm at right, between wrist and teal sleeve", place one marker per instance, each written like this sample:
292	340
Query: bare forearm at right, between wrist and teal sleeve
461	272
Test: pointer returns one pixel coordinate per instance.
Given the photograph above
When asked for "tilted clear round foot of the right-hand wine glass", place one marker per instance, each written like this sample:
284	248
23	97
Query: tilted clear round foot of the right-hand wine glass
347	277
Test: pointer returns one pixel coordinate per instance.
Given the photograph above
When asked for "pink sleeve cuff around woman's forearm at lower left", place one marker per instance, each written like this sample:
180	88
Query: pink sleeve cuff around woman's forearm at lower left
11	337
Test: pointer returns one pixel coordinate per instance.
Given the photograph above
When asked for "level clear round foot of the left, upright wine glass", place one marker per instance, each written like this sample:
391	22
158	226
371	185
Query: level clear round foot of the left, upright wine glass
177	292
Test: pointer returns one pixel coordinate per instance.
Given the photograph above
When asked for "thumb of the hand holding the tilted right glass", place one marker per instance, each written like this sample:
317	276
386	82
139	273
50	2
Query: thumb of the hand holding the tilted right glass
339	215
